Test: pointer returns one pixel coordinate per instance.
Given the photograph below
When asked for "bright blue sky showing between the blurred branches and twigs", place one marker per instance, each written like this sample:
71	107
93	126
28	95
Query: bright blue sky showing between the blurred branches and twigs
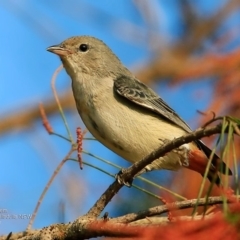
29	157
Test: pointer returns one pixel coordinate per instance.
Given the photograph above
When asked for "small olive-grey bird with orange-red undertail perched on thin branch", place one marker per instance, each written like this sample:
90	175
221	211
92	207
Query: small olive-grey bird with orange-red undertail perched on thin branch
124	114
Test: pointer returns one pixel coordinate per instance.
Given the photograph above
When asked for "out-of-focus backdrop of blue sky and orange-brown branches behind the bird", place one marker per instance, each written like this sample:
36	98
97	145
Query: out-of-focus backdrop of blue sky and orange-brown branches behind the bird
188	51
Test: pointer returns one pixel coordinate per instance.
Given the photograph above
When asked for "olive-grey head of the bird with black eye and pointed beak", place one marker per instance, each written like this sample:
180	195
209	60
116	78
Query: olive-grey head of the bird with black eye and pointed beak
87	55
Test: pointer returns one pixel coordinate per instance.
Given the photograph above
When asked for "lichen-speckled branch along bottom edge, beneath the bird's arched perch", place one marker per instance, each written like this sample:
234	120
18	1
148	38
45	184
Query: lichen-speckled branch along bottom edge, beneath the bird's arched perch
85	227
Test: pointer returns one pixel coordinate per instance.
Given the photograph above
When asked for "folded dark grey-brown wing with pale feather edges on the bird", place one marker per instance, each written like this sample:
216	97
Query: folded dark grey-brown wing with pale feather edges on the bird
139	93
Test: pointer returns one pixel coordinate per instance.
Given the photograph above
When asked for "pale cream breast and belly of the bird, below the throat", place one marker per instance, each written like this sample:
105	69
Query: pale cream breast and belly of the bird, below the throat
126	128
